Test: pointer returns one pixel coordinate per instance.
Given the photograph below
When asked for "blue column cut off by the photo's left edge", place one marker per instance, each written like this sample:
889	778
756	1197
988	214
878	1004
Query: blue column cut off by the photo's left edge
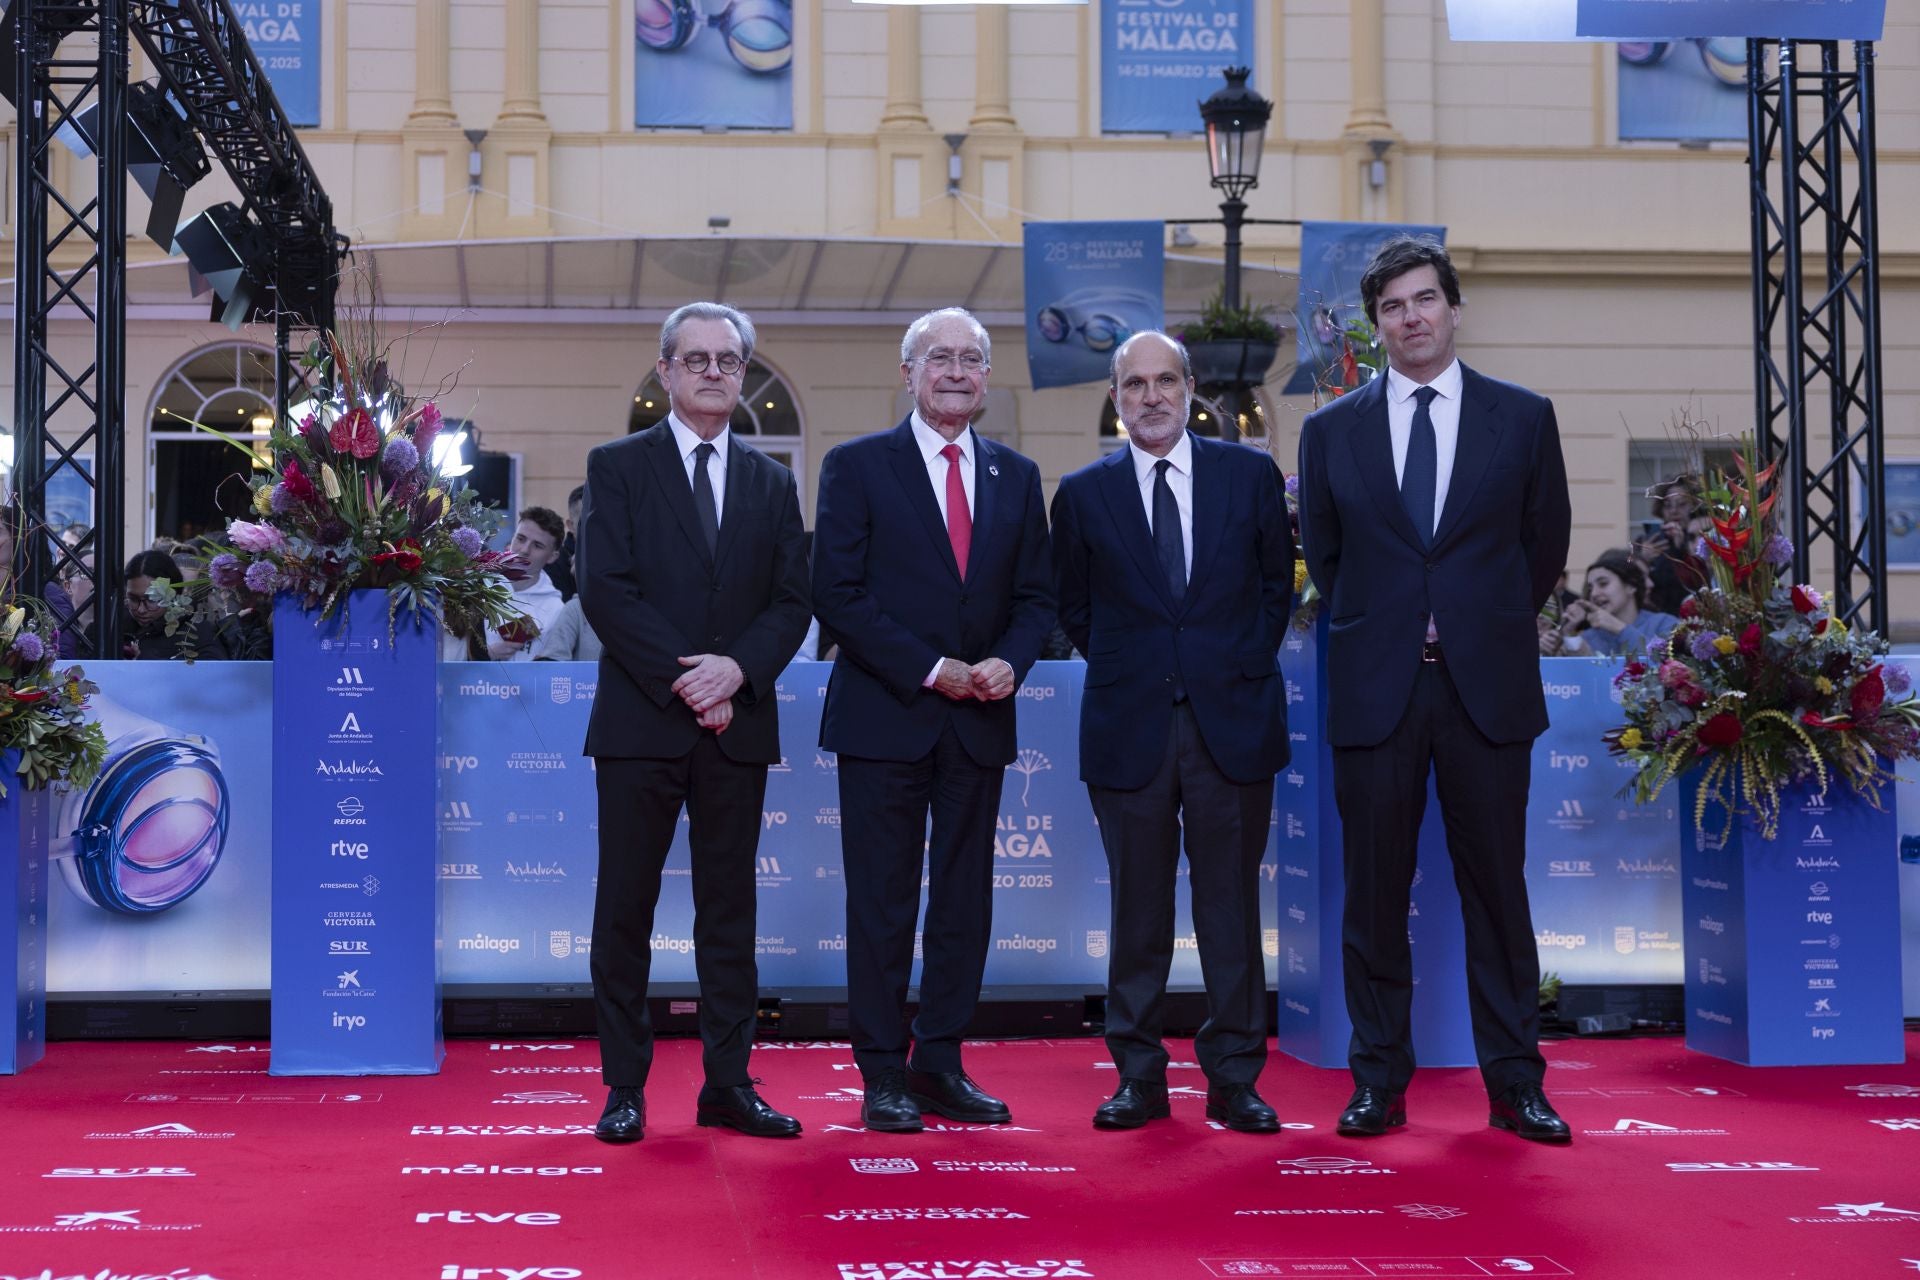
22	916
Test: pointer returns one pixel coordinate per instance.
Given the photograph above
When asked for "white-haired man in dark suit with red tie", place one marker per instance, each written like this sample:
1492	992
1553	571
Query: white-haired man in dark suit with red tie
930	569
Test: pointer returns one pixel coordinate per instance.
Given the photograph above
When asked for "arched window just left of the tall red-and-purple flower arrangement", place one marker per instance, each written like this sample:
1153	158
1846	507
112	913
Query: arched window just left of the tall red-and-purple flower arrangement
229	389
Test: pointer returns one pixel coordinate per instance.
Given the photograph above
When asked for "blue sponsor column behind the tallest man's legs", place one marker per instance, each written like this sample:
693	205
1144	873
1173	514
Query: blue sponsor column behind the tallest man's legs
1312	888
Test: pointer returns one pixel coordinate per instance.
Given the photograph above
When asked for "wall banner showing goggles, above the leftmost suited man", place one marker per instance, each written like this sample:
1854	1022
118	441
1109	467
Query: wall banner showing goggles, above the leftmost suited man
713	64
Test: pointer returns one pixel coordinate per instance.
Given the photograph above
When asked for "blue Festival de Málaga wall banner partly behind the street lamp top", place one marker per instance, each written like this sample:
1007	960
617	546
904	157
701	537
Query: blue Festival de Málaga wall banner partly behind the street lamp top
1159	59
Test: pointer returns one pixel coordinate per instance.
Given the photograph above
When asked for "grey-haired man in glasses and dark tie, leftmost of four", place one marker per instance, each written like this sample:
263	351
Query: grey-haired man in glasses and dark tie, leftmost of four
694	575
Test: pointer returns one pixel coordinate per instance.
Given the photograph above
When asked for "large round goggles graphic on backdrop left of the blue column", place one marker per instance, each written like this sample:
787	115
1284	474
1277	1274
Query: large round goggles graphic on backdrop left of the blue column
151	830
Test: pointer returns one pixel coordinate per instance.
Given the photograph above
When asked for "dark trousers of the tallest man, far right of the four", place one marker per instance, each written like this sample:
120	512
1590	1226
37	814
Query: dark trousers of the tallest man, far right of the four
1483	799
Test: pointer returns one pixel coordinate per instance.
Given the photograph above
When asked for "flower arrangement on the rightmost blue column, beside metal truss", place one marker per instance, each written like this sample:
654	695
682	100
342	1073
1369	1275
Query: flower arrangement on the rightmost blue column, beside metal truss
1762	686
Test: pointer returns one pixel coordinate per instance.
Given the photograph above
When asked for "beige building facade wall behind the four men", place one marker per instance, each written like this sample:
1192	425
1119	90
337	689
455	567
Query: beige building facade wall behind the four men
1612	277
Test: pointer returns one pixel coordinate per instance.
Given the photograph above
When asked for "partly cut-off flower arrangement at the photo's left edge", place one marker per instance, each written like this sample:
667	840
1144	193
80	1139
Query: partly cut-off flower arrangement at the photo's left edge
43	711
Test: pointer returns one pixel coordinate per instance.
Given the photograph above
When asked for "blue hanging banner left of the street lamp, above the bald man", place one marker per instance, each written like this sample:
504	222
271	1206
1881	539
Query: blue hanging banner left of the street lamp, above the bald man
1090	289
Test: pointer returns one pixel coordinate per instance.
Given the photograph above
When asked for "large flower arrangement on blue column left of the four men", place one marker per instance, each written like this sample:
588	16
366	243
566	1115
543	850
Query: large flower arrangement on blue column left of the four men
354	498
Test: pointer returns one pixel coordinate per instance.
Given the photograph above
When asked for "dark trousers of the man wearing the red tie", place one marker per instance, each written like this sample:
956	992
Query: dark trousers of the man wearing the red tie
884	845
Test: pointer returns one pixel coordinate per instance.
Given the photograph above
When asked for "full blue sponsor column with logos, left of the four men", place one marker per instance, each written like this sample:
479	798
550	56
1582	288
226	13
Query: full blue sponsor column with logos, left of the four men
356	914
